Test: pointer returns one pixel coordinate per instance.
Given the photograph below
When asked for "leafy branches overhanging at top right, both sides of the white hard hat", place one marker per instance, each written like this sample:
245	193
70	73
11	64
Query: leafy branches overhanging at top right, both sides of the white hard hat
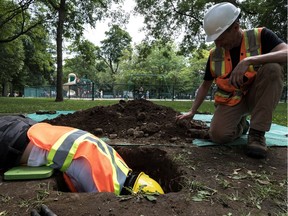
169	19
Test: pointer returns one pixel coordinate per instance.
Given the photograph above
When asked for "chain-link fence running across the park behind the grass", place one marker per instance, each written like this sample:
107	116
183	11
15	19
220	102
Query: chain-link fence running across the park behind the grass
122	91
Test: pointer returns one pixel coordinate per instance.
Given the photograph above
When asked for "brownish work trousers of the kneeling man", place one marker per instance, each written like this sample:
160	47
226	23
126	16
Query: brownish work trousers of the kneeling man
260	102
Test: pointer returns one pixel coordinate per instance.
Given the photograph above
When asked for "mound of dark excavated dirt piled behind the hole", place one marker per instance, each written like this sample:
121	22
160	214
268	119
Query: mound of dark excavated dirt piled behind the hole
136	121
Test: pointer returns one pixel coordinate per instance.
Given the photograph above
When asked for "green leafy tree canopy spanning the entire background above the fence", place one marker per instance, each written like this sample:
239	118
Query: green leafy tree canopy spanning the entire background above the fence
28	28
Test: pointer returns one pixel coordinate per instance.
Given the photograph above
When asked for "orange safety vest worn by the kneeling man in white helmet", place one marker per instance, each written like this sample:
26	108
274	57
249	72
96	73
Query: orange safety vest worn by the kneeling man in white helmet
221	68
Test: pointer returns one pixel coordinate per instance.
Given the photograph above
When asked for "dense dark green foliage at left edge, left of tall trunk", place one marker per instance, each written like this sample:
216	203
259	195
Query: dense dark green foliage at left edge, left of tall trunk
32	60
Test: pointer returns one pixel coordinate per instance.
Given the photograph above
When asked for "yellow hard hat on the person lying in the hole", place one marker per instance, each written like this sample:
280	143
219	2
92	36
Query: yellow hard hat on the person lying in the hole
146	184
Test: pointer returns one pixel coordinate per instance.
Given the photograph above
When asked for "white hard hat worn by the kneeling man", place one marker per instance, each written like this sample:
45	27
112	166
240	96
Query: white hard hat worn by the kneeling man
218	18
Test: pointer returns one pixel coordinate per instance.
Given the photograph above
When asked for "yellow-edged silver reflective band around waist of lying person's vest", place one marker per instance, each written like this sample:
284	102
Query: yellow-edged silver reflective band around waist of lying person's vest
62	152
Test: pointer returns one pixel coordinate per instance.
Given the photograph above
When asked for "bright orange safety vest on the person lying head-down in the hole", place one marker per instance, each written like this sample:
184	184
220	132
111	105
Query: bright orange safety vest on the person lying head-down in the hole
65	144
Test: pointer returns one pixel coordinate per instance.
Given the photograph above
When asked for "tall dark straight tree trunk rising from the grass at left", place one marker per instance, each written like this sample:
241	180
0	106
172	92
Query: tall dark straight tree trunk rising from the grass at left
59	42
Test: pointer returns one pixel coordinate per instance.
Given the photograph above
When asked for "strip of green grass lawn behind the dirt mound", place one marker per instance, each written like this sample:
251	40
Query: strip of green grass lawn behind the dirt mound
31	105
